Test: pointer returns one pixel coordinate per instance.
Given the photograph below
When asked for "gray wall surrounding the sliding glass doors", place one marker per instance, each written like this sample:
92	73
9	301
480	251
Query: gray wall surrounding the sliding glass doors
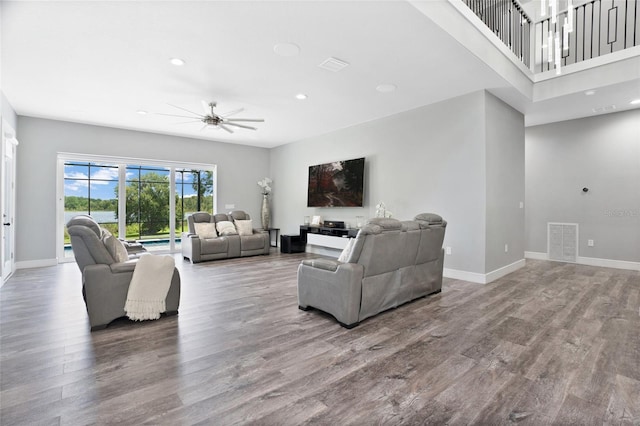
239	169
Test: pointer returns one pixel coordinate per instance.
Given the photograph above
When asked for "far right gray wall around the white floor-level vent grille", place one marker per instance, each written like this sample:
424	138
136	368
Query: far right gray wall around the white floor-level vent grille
601	153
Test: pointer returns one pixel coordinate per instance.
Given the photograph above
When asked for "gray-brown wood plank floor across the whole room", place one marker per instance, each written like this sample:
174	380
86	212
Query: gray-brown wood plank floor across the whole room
552	343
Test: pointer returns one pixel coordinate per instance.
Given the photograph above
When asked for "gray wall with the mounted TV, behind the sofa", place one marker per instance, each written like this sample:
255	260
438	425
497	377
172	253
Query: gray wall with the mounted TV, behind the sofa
431	159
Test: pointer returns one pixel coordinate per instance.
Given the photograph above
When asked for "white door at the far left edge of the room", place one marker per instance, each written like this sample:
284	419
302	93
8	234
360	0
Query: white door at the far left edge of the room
7	200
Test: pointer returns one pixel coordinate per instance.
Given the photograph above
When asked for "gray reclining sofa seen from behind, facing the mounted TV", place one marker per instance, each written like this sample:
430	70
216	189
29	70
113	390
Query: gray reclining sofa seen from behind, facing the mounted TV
390	263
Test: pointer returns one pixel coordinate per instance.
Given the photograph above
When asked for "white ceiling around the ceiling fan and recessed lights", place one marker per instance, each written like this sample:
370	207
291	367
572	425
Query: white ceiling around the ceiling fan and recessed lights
100	62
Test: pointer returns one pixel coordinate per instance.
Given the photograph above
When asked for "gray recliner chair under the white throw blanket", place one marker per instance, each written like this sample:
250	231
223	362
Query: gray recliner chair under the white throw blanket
107	272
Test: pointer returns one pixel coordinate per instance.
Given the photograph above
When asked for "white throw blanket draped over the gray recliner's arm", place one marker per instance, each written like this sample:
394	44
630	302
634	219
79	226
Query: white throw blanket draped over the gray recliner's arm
149	287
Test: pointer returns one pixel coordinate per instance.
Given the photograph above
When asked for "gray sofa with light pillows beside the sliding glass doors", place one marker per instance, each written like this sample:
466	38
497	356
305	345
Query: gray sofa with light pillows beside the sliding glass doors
198	248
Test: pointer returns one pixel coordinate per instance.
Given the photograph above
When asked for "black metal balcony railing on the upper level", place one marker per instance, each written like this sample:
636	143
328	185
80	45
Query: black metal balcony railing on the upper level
563	37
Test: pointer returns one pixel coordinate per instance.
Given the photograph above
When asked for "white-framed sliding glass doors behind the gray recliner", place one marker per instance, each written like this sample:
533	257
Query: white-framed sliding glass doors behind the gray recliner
157	197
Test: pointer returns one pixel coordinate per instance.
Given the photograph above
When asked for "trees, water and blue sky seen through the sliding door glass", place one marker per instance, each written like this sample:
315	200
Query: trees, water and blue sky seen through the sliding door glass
93	188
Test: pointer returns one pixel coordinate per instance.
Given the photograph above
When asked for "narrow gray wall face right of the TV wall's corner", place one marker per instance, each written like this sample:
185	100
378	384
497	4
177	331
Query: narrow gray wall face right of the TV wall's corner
505	184
